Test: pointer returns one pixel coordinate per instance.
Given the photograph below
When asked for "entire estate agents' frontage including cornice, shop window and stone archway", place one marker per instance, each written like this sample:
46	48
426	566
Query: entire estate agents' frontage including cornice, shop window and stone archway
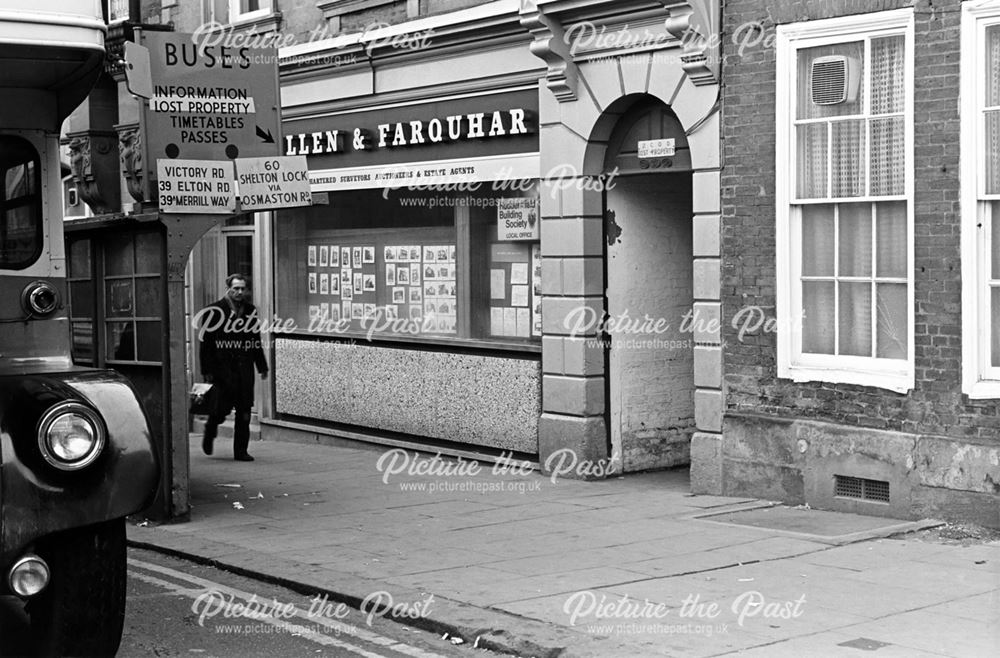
519	245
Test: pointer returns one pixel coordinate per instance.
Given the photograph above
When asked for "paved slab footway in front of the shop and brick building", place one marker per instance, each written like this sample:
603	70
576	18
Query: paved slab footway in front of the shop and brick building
515	561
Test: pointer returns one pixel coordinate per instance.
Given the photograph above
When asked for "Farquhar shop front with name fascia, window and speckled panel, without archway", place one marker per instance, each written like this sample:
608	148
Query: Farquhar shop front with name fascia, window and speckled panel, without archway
415	291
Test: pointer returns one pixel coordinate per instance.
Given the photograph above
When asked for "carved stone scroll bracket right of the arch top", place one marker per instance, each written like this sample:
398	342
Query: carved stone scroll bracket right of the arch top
696	23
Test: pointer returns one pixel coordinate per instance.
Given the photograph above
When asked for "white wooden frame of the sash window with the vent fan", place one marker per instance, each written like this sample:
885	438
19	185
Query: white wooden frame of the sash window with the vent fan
893	374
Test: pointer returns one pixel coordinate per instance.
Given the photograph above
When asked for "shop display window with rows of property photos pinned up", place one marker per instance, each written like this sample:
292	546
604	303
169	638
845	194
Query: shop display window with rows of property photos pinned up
416	265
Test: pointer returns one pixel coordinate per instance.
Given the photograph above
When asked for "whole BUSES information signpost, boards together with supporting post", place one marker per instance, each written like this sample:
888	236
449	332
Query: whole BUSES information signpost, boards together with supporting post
211	124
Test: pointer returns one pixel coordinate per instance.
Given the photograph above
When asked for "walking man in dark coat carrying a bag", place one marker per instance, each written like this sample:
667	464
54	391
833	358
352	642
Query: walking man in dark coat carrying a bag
230	349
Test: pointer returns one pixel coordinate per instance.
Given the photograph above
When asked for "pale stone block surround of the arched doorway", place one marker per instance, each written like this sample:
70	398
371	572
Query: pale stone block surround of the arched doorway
575	133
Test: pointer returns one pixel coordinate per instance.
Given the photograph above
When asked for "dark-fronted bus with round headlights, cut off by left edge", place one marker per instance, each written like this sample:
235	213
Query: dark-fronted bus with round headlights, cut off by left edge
76	454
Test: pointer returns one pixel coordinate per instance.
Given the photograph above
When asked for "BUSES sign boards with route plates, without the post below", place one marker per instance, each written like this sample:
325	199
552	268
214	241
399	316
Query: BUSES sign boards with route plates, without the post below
211	107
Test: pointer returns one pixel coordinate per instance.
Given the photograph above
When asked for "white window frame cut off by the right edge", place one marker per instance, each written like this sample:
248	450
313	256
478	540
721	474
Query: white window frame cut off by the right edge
980	380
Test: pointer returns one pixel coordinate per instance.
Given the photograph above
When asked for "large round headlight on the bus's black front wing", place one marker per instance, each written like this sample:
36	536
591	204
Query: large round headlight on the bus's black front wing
70	436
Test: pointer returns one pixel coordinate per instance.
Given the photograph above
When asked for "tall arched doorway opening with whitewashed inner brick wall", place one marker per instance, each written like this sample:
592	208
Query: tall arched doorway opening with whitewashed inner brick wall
649	260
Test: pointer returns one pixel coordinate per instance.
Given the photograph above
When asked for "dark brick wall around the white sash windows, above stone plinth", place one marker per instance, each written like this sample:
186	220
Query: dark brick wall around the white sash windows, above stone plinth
936	405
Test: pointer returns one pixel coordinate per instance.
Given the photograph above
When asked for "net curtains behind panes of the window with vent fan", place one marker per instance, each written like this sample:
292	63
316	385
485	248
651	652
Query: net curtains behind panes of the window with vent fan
854	255
